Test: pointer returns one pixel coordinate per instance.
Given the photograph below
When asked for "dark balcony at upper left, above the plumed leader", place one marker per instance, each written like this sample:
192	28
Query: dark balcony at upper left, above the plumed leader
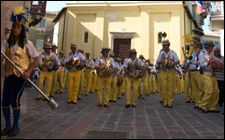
37	12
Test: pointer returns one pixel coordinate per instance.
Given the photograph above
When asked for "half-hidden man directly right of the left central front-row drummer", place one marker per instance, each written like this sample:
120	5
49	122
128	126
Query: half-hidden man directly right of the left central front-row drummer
113	90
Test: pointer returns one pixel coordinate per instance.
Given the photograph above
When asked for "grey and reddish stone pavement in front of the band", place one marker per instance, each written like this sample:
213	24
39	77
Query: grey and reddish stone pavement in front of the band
149	120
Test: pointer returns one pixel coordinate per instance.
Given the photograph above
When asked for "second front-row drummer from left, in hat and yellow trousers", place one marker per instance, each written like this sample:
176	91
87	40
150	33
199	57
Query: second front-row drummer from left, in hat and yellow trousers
74	64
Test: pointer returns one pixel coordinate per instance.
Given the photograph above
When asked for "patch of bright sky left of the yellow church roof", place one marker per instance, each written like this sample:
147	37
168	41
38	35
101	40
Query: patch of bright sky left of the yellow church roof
55	5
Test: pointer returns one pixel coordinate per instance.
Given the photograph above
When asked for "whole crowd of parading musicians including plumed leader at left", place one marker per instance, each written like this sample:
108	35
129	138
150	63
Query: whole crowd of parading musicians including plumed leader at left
200	76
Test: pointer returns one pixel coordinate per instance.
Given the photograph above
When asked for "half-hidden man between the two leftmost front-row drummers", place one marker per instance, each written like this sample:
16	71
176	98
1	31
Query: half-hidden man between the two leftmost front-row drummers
61	72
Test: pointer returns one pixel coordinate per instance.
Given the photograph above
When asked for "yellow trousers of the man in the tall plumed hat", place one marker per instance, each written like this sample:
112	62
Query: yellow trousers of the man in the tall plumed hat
197	86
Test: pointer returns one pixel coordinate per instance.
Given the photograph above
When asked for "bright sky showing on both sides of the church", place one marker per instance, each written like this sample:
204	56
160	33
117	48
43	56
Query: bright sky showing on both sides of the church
58	5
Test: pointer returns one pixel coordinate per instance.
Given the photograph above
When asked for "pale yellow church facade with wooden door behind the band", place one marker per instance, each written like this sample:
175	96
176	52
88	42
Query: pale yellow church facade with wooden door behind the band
122	25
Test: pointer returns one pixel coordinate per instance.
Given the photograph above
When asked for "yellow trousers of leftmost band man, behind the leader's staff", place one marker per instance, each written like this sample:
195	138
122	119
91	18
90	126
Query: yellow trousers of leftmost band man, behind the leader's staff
48	77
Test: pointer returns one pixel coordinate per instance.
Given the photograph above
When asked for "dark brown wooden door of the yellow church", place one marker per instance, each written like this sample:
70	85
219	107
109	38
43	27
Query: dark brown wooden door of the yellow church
121	48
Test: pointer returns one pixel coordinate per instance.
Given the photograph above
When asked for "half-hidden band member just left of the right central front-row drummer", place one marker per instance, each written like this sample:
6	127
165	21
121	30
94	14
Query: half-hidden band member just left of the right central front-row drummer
120	77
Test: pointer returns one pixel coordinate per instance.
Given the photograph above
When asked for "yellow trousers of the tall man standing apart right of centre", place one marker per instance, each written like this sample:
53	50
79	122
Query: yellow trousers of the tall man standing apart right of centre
168	85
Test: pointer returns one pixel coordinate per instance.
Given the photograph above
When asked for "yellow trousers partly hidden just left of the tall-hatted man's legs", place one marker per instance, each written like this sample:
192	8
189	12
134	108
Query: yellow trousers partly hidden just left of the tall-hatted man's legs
187	85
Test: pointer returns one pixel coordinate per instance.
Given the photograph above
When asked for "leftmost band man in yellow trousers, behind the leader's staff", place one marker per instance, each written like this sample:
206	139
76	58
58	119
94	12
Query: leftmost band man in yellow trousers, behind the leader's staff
45	59
